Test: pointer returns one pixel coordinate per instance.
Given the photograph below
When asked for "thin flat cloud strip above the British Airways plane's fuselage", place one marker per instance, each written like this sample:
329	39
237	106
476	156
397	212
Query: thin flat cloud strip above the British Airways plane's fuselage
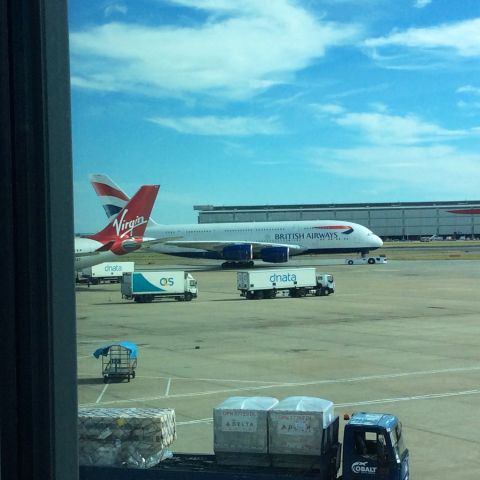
221	126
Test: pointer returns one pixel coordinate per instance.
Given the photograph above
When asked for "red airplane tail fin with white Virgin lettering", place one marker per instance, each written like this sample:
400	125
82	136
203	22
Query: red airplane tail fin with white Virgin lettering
125	231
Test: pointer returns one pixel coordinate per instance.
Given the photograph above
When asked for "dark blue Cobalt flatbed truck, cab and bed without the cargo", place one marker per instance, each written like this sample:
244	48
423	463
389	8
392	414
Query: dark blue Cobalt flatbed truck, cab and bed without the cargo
373	448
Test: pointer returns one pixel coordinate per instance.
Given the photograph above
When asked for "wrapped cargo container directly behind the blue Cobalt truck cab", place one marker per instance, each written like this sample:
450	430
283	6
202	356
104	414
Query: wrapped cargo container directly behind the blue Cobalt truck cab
296	427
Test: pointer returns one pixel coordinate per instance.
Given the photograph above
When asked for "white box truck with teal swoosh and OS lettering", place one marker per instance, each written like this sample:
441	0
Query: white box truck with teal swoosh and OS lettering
144	287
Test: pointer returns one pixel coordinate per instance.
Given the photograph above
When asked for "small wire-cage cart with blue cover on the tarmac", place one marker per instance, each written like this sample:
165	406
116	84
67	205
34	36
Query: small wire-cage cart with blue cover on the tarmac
119	361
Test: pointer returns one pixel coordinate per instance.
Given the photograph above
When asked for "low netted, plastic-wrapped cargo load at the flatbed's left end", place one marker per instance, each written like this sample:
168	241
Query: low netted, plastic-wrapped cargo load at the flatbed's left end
134	437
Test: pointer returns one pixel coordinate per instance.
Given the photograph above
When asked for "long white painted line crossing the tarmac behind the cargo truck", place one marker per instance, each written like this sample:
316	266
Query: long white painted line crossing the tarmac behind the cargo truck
290	384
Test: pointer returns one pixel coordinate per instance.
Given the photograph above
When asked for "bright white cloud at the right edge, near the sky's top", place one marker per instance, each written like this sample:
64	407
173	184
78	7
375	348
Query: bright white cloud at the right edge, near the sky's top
461	38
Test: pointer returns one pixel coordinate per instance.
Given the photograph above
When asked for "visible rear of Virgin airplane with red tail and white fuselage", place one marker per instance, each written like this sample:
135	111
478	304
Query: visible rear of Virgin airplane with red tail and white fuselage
123	234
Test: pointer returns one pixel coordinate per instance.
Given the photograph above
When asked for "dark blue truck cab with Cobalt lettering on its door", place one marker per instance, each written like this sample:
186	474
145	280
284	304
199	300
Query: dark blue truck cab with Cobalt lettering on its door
374	448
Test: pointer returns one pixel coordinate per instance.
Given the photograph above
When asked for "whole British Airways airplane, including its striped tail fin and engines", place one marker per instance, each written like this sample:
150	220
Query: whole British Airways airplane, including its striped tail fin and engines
241	243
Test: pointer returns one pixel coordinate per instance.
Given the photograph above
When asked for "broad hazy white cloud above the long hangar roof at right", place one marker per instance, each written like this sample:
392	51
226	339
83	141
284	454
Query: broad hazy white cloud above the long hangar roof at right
405	151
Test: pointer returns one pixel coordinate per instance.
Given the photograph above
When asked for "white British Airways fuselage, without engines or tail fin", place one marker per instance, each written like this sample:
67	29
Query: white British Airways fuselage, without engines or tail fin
321	236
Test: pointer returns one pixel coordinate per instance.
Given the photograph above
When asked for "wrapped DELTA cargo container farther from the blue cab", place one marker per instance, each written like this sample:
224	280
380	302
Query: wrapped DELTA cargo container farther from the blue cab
240	426
